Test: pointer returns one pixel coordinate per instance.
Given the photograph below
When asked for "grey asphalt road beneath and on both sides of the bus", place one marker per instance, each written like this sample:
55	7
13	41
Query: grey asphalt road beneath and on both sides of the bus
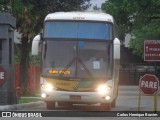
127	101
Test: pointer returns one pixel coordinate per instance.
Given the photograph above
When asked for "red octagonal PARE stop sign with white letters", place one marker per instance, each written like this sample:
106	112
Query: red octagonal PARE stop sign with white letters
149	84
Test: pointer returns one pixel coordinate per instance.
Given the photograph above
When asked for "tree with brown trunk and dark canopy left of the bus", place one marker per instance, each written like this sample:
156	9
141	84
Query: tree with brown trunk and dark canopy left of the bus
30	15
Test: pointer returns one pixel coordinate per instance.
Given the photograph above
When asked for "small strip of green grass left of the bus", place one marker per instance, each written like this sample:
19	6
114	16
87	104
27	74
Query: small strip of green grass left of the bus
29	99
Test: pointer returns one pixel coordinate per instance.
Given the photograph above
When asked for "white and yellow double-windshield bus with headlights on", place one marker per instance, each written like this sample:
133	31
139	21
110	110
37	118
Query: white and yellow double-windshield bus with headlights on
80	57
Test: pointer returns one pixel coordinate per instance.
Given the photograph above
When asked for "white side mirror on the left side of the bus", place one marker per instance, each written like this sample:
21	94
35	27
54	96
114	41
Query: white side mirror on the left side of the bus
35	45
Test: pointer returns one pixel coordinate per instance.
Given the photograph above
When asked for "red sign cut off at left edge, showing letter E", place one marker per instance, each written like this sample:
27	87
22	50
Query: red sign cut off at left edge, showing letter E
3	76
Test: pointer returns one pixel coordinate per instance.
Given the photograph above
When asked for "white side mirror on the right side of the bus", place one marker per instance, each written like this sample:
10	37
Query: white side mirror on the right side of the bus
116	45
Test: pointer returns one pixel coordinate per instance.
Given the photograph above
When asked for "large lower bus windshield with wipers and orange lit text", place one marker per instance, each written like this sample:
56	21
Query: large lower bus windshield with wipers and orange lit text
76	59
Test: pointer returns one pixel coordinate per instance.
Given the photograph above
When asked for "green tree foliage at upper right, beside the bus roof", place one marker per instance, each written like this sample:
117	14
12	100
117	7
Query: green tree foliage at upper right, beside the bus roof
140	18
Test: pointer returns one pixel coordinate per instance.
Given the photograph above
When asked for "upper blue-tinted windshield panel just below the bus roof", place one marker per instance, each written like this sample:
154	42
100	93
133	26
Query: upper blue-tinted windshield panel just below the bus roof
81	30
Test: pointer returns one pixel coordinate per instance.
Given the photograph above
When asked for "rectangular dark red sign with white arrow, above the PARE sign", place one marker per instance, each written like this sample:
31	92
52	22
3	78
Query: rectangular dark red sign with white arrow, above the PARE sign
152	50
